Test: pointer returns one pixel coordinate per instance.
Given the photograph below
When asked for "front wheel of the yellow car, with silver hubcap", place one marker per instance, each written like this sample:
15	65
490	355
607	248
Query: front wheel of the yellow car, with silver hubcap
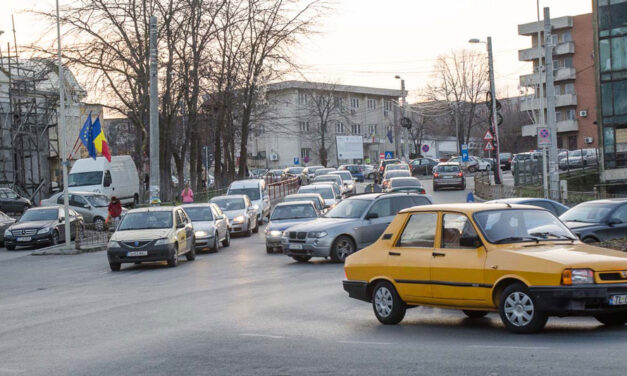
518	311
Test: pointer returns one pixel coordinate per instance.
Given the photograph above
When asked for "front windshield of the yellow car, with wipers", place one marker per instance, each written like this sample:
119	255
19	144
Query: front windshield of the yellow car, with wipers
516	225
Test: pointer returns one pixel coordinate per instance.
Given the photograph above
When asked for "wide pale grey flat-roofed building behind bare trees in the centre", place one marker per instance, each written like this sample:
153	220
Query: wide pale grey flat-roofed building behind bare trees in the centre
290	128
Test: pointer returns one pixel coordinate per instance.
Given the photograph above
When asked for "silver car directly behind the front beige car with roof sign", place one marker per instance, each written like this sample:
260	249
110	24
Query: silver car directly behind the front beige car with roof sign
211	226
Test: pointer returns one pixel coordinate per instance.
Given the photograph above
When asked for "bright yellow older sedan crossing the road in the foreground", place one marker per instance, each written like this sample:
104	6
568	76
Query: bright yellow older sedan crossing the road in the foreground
518	260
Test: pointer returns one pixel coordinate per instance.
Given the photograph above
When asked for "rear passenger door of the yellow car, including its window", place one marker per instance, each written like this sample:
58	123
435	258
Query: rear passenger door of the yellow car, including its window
408	261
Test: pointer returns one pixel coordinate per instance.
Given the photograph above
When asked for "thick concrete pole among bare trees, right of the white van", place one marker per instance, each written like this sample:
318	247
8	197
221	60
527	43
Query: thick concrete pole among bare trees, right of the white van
154	116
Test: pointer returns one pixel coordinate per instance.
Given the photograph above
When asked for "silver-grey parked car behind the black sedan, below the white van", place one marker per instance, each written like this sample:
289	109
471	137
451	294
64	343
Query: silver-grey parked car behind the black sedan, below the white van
94	207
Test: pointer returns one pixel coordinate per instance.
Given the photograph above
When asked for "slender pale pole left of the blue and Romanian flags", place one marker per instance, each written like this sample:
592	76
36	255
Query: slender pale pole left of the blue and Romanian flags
62	131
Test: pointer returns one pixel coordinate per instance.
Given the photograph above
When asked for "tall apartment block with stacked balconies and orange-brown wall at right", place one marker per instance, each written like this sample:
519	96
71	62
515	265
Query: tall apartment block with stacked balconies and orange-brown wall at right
574	79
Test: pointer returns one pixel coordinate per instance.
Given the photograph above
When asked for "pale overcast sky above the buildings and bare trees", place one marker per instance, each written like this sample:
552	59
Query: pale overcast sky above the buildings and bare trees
368	42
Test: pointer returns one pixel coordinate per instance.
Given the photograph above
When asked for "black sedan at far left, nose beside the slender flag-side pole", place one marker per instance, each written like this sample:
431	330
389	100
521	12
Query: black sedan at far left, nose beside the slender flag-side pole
41	226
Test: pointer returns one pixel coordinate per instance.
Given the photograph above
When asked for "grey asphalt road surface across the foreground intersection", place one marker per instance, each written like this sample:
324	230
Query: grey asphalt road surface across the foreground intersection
243	312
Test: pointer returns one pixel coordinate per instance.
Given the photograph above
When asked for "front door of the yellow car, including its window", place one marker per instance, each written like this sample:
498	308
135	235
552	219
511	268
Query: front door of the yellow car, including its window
457	265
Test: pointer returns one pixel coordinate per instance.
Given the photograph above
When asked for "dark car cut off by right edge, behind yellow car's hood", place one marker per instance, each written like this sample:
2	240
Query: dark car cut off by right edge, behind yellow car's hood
599	220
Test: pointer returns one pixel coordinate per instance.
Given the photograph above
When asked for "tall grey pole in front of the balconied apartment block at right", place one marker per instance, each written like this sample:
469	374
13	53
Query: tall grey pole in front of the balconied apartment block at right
550	107
